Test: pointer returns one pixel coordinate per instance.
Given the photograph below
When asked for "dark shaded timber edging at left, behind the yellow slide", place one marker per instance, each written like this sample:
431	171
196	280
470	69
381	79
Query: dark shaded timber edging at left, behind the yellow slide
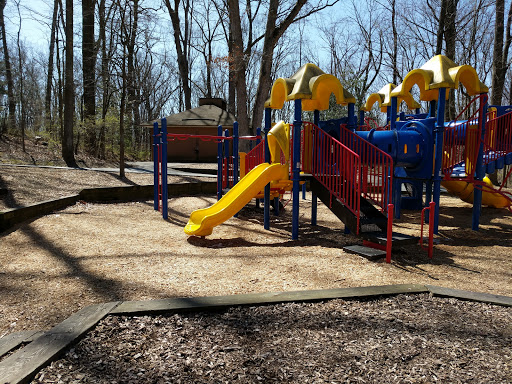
14	216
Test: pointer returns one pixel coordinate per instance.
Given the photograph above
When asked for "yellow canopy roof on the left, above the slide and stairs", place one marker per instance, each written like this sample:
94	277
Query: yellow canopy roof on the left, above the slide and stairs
310	84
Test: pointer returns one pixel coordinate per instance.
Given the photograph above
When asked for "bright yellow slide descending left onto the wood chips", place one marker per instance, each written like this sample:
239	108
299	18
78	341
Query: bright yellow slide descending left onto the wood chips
202	221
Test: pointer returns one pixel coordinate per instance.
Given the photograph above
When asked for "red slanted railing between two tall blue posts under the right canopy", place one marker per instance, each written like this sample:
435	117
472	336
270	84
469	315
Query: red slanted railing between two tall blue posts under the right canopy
461	141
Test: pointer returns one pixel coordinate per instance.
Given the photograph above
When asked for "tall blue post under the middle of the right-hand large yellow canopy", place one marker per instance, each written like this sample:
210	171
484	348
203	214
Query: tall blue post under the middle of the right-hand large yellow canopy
438	137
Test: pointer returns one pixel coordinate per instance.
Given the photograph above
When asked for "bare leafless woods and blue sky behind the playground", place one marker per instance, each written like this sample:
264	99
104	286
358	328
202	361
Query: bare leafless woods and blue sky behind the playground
85	75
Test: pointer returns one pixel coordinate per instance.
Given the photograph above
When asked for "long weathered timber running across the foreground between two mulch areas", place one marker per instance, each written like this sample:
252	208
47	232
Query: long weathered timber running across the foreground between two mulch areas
209	302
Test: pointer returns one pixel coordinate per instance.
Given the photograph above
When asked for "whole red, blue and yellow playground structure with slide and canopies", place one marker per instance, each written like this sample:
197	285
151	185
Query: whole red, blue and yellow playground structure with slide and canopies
359	173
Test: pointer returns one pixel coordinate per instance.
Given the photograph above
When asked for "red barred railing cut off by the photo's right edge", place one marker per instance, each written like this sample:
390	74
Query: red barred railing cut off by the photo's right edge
498	137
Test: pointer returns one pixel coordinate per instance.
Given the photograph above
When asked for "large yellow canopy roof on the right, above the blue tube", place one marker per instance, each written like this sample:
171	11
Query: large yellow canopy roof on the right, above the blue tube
441	72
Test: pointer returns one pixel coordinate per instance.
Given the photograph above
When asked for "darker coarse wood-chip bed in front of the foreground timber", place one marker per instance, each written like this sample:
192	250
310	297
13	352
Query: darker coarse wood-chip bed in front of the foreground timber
402	339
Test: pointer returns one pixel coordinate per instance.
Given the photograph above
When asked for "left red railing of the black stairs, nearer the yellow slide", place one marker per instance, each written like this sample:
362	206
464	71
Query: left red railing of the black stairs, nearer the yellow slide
337	168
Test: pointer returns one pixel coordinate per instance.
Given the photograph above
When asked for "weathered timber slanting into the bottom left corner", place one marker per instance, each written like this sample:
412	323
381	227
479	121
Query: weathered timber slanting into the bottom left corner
23	365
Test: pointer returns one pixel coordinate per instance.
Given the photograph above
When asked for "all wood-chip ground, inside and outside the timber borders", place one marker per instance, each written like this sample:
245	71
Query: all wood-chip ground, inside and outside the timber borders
86	254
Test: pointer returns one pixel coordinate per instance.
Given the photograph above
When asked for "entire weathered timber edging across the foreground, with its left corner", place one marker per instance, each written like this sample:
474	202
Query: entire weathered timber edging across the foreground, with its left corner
23	365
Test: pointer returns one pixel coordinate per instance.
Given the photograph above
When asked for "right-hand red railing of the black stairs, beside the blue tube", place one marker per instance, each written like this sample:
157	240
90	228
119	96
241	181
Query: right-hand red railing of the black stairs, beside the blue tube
376	168
